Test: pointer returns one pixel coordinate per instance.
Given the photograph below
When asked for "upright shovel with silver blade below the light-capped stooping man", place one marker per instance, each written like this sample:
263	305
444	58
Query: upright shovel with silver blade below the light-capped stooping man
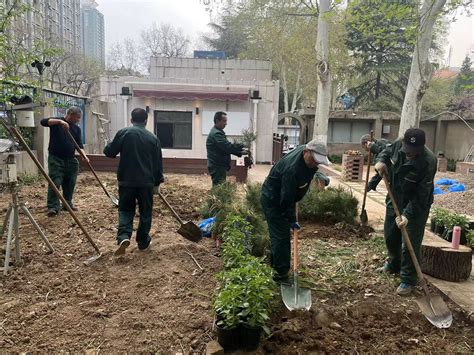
295	297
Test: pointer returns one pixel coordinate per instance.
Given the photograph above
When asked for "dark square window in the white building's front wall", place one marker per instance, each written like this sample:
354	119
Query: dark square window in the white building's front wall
174	129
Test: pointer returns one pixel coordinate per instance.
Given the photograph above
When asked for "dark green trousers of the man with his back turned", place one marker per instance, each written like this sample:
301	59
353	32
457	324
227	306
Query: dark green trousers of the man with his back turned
128	198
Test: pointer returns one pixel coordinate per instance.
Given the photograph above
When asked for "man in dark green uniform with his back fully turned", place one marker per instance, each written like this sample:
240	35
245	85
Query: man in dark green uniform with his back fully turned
139	176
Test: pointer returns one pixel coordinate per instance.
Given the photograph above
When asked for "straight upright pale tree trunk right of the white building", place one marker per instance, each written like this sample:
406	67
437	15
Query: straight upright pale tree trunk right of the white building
323	99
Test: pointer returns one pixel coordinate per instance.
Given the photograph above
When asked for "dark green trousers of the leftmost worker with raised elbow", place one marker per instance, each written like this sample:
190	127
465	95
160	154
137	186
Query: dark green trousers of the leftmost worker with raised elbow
63	172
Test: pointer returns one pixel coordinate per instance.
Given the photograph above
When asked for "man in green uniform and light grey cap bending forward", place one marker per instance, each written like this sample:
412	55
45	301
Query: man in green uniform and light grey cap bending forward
286	184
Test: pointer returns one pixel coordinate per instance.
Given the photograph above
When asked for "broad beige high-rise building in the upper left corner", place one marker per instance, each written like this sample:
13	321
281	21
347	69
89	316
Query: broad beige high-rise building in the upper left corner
51	21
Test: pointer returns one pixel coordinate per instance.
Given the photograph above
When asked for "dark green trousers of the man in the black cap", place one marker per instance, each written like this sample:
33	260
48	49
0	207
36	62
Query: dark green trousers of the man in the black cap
399	259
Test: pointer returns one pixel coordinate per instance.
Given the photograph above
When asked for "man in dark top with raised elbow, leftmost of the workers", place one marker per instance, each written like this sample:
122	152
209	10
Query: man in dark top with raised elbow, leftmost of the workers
63	167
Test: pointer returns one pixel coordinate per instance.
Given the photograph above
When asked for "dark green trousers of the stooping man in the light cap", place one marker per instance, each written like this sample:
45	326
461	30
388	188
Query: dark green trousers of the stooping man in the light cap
280	238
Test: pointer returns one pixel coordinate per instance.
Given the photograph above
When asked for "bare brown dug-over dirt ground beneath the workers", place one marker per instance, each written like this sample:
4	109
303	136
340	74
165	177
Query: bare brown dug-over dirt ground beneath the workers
161	301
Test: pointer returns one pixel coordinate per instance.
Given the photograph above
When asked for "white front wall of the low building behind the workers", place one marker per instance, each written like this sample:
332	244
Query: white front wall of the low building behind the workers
267	107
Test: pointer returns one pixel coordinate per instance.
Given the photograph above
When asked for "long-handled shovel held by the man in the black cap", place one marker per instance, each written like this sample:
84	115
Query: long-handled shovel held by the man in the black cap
433	307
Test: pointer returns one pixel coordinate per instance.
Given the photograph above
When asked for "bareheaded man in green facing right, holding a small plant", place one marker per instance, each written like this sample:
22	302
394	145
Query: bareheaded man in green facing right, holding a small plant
219	150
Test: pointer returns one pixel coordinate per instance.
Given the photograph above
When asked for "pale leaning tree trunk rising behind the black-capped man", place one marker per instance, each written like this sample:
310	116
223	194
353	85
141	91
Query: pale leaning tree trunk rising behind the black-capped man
420	67
